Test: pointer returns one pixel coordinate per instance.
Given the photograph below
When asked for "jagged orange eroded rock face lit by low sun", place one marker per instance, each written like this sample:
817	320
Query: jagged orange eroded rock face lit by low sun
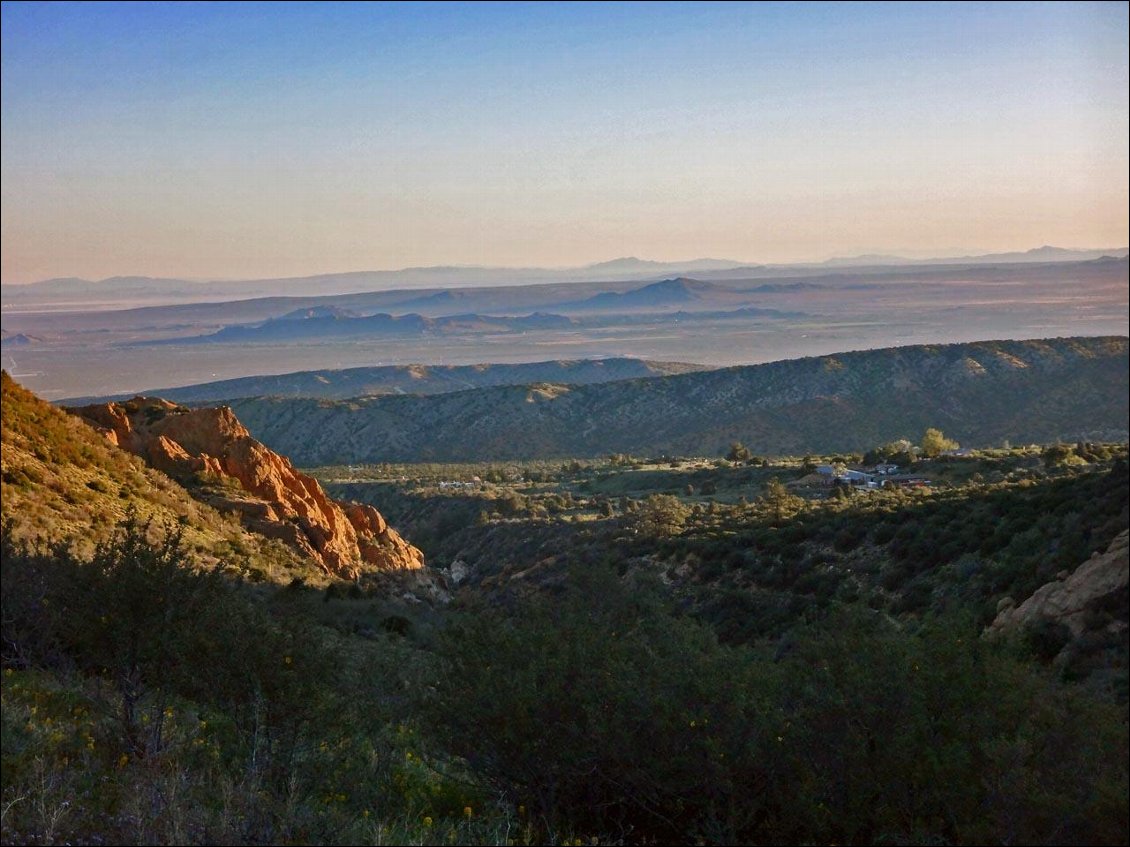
273	499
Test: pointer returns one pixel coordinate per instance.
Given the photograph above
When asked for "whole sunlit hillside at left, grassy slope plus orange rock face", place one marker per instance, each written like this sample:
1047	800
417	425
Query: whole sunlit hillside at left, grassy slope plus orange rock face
234	499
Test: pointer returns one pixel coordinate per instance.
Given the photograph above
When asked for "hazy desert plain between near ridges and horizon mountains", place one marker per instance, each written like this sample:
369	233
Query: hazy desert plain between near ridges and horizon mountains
84	352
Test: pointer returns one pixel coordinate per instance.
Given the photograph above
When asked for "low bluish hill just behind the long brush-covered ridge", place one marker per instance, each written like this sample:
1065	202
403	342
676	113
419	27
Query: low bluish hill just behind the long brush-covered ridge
412	380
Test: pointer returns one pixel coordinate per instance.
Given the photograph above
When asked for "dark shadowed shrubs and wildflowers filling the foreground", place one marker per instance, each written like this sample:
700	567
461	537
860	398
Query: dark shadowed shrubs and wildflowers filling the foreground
596	712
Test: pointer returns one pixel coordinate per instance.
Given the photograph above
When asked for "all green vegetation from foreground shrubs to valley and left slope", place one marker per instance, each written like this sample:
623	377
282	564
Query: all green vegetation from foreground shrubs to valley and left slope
633	650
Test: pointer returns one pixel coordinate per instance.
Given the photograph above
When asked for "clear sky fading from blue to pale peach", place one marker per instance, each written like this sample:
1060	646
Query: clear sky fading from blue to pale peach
262	141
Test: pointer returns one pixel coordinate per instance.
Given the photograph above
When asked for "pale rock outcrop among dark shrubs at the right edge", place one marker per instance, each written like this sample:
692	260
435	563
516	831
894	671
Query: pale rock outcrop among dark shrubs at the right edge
1067	601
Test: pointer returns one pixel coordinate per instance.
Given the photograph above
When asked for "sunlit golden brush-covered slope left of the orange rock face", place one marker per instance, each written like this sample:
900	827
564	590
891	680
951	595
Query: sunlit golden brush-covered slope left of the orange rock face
63	481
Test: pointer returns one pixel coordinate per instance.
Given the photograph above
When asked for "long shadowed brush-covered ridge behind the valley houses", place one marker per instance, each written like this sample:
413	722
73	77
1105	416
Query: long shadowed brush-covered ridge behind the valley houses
979	394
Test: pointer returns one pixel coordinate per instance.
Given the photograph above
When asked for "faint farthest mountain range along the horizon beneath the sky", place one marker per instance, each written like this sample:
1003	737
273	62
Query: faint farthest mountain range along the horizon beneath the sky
141	290
